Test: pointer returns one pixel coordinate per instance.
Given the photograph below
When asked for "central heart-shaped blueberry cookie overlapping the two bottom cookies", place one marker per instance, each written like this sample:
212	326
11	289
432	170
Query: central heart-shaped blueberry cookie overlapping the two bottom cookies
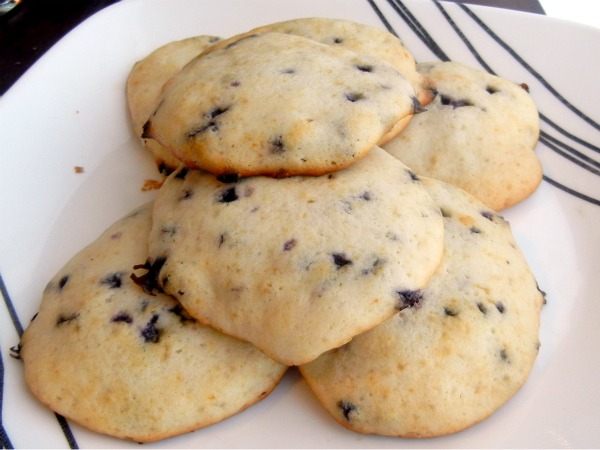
296	265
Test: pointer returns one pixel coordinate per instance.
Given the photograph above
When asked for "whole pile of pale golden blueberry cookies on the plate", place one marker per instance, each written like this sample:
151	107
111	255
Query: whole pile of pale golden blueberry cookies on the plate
315	214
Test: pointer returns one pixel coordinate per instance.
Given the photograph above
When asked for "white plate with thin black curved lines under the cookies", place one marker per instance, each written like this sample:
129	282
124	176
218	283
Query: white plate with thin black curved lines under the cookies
69	110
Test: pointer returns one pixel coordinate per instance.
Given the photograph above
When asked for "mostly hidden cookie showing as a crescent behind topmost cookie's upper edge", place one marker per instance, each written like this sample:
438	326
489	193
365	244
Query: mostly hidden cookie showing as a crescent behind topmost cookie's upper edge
361	38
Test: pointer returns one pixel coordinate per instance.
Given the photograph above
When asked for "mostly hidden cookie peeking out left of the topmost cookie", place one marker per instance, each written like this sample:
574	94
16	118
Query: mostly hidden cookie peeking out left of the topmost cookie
145	82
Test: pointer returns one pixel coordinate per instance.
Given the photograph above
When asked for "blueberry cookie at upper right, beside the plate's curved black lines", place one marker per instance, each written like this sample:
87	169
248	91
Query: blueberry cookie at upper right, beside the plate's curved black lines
478	134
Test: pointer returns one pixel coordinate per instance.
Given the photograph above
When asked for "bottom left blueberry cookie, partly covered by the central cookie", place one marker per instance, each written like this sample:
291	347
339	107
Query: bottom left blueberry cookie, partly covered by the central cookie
135	366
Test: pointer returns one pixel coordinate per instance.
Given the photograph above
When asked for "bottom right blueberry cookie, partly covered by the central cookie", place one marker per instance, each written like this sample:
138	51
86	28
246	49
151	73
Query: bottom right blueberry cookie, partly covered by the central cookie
460	351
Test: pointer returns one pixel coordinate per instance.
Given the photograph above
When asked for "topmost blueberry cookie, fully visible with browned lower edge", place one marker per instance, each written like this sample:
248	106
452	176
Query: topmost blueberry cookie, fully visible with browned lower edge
279	105
